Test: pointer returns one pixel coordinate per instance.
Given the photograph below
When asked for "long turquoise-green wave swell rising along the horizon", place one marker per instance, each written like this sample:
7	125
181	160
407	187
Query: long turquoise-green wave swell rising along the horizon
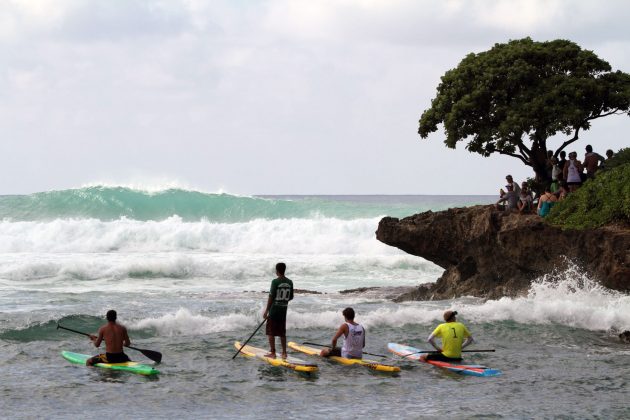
112	203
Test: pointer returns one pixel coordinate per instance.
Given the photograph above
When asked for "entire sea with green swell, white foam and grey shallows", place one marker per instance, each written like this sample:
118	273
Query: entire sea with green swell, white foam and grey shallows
188	273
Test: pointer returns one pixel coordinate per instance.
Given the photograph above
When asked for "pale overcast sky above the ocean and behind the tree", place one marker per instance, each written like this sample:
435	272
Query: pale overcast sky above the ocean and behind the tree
264	97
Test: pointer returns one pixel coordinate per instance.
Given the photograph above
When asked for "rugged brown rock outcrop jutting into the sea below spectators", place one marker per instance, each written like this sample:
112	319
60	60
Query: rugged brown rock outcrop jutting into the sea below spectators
488	253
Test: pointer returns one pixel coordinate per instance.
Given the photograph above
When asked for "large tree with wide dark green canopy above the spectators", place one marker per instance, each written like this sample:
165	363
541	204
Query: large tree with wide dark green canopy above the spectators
512	98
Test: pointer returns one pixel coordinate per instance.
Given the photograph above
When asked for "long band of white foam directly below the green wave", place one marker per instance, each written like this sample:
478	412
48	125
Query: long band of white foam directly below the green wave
294	236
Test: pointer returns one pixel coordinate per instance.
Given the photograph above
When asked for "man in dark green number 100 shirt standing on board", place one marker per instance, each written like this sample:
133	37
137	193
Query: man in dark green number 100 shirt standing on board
280	294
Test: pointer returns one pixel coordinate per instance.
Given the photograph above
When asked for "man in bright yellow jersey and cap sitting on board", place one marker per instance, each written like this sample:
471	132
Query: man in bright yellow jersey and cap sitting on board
452	334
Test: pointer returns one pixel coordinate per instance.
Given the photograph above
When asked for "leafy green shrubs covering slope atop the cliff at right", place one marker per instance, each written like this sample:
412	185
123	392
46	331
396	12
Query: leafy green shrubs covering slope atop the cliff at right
600	201
